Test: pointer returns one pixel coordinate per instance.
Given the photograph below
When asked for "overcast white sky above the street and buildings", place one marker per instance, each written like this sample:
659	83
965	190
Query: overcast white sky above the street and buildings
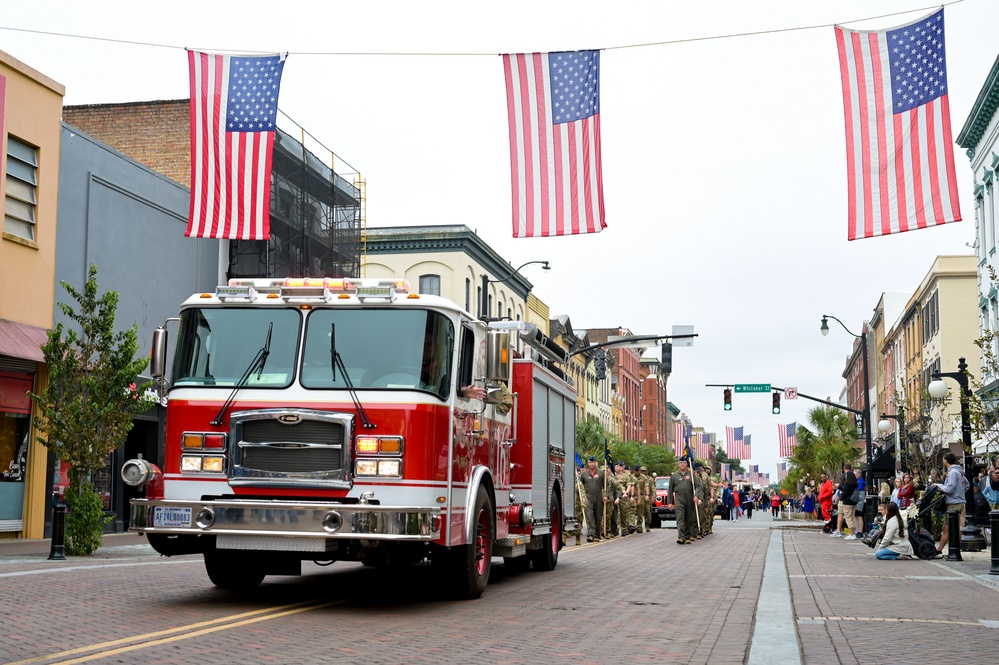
724	159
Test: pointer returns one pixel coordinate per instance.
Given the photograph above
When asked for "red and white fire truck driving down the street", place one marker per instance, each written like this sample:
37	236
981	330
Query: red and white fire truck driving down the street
325	420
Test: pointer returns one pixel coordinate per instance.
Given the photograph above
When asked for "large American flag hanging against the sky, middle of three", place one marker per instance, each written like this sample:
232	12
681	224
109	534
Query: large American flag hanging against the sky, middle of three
553	105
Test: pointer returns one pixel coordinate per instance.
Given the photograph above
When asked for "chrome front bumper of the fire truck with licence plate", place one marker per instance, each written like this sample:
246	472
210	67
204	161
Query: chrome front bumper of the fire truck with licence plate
287	519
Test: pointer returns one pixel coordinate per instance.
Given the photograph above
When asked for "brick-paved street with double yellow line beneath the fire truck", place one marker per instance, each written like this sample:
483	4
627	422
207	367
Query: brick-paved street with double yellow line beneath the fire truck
643	596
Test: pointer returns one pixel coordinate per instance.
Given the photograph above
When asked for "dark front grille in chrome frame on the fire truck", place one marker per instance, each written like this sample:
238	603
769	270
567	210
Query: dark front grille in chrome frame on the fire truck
284	455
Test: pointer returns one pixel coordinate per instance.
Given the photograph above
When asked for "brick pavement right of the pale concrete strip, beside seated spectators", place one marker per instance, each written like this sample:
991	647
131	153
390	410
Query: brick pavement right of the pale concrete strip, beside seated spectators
850	607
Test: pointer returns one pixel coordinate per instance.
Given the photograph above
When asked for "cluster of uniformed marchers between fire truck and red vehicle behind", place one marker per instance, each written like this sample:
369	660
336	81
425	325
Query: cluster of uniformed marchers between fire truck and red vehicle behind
614	501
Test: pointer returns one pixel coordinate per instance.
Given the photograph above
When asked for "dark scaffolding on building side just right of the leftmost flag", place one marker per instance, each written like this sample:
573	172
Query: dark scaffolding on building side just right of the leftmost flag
316	216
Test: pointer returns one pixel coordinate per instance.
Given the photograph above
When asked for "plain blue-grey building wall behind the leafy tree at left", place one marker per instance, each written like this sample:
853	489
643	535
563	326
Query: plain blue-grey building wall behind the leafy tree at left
130	222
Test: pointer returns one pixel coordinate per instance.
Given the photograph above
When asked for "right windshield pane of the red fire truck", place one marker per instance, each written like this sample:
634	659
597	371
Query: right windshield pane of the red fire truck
394	349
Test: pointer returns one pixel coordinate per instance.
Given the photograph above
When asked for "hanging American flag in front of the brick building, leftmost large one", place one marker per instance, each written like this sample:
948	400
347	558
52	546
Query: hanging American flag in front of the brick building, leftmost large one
233	113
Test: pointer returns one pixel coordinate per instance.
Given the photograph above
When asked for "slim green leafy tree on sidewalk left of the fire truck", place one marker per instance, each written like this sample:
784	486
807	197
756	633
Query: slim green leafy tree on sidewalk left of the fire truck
88	406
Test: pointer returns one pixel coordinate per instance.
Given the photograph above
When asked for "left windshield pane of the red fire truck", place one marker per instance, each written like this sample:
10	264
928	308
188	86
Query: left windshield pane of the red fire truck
215	346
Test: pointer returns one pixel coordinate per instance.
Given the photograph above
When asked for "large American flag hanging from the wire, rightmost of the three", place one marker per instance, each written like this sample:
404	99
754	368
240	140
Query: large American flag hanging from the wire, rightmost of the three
900	155
